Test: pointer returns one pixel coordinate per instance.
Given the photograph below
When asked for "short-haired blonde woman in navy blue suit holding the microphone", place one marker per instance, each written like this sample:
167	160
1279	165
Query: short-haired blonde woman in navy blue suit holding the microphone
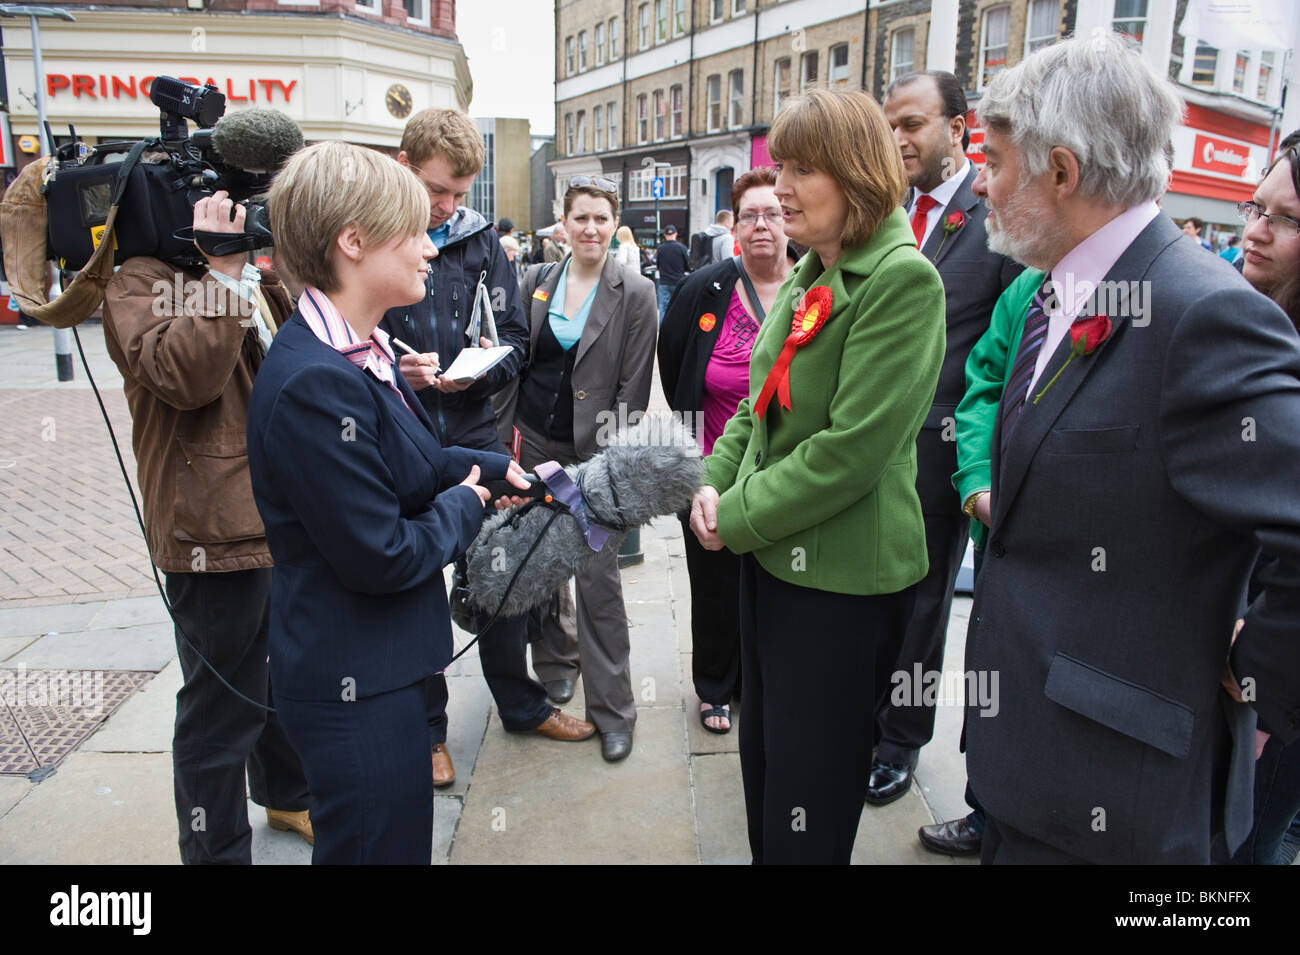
363	507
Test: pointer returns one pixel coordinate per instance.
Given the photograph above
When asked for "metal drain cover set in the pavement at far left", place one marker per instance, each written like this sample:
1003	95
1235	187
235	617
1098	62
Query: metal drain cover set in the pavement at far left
47	714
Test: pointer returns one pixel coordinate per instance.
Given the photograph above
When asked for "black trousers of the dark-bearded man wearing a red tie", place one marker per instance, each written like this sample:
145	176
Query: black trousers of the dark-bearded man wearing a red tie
902	731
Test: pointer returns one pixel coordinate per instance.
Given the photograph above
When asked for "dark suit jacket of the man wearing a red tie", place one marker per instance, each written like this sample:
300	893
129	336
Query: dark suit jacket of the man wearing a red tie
973	280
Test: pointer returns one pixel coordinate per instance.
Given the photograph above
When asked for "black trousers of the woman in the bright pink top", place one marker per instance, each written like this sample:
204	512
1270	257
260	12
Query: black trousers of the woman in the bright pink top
714	622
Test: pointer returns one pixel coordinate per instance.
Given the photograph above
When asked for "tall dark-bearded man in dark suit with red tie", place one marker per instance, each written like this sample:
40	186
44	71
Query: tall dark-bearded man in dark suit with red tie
928	114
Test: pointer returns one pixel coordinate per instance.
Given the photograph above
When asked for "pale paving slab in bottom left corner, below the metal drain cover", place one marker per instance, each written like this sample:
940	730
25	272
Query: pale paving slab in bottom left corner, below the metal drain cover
98	809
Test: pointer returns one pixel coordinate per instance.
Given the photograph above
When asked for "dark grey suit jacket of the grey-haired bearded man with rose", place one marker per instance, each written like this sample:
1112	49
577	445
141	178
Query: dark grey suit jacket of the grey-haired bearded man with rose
1129	510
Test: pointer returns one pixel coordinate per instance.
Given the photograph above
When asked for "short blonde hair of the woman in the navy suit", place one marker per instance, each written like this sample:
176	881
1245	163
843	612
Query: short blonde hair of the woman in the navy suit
330	186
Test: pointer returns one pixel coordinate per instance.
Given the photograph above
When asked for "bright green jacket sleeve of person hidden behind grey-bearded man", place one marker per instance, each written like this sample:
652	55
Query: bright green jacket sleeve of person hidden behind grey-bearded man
986	372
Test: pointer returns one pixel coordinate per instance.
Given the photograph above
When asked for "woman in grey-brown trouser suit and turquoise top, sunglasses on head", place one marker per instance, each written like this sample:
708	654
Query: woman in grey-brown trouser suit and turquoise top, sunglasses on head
591	359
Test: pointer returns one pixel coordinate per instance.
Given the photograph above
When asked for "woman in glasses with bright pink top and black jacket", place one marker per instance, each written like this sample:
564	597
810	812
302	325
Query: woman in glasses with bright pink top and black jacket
705	342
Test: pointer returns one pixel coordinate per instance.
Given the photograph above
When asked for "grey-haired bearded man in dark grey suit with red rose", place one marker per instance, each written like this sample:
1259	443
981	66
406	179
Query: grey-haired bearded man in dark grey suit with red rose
1146	448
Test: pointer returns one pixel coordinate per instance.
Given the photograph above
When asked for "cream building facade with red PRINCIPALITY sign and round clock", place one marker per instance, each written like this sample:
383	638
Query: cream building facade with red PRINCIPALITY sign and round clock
343	70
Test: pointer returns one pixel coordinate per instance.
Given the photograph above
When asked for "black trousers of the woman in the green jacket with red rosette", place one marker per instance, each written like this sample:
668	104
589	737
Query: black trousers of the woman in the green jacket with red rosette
809	663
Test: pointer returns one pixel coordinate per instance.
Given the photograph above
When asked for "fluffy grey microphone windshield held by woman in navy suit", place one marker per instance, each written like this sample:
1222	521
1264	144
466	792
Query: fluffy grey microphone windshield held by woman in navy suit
653	468
